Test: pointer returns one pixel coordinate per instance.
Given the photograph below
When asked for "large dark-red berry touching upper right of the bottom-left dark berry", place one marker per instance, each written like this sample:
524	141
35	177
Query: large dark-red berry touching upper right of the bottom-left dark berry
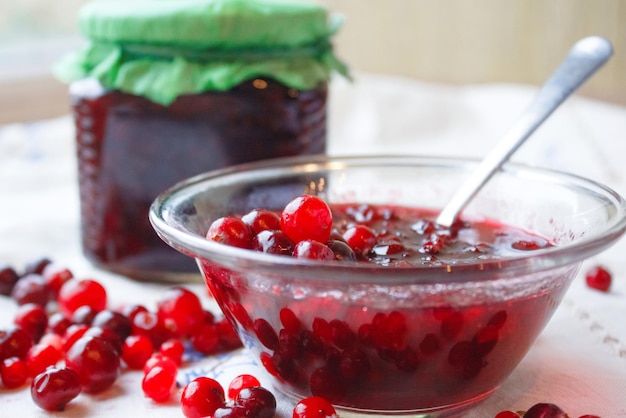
96	362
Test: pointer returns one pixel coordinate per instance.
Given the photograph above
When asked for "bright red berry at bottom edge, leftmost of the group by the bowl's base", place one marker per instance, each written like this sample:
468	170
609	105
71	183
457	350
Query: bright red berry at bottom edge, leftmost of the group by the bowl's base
202	397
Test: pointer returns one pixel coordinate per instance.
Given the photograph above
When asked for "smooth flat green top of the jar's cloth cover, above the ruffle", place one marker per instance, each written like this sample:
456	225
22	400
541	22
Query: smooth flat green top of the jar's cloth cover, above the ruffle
223	24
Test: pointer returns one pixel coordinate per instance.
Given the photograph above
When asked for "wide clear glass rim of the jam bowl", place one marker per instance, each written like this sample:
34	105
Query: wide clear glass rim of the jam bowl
238	259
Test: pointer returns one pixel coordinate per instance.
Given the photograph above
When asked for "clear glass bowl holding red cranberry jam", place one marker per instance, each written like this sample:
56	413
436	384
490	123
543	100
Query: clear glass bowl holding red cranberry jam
462	329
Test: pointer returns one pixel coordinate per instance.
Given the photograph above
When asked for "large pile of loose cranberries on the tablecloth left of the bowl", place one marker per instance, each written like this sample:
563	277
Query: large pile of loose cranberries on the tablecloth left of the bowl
65	339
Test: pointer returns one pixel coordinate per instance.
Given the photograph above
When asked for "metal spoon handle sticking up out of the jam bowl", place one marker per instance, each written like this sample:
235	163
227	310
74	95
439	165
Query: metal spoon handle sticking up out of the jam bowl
584	59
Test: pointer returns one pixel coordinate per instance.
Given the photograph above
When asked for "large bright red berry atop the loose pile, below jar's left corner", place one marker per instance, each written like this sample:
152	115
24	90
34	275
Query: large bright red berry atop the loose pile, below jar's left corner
84	292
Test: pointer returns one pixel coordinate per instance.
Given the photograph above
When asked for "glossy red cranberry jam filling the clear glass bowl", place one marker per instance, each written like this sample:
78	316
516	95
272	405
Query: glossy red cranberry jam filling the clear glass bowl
398	348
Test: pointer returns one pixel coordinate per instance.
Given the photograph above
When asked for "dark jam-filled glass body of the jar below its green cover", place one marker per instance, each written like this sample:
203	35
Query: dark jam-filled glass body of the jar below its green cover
130	149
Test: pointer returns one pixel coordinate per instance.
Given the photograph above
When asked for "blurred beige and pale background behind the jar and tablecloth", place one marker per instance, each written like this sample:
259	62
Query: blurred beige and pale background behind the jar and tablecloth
449	41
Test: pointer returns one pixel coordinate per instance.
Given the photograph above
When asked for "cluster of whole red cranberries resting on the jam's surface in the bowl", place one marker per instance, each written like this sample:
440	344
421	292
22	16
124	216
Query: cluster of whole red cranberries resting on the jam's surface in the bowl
305	229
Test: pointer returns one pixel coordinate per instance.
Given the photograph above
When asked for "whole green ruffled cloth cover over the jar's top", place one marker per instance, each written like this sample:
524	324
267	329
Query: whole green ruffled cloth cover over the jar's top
162	49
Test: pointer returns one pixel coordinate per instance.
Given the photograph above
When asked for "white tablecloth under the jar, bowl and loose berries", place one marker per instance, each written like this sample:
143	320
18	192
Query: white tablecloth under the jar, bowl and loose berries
578	362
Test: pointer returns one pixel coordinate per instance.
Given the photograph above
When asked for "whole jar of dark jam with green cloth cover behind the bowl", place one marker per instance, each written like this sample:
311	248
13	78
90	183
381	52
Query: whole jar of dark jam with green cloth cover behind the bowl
165	90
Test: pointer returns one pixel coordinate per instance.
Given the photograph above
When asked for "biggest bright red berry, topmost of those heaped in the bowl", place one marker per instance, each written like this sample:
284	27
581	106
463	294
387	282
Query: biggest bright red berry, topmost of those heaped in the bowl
307	218
